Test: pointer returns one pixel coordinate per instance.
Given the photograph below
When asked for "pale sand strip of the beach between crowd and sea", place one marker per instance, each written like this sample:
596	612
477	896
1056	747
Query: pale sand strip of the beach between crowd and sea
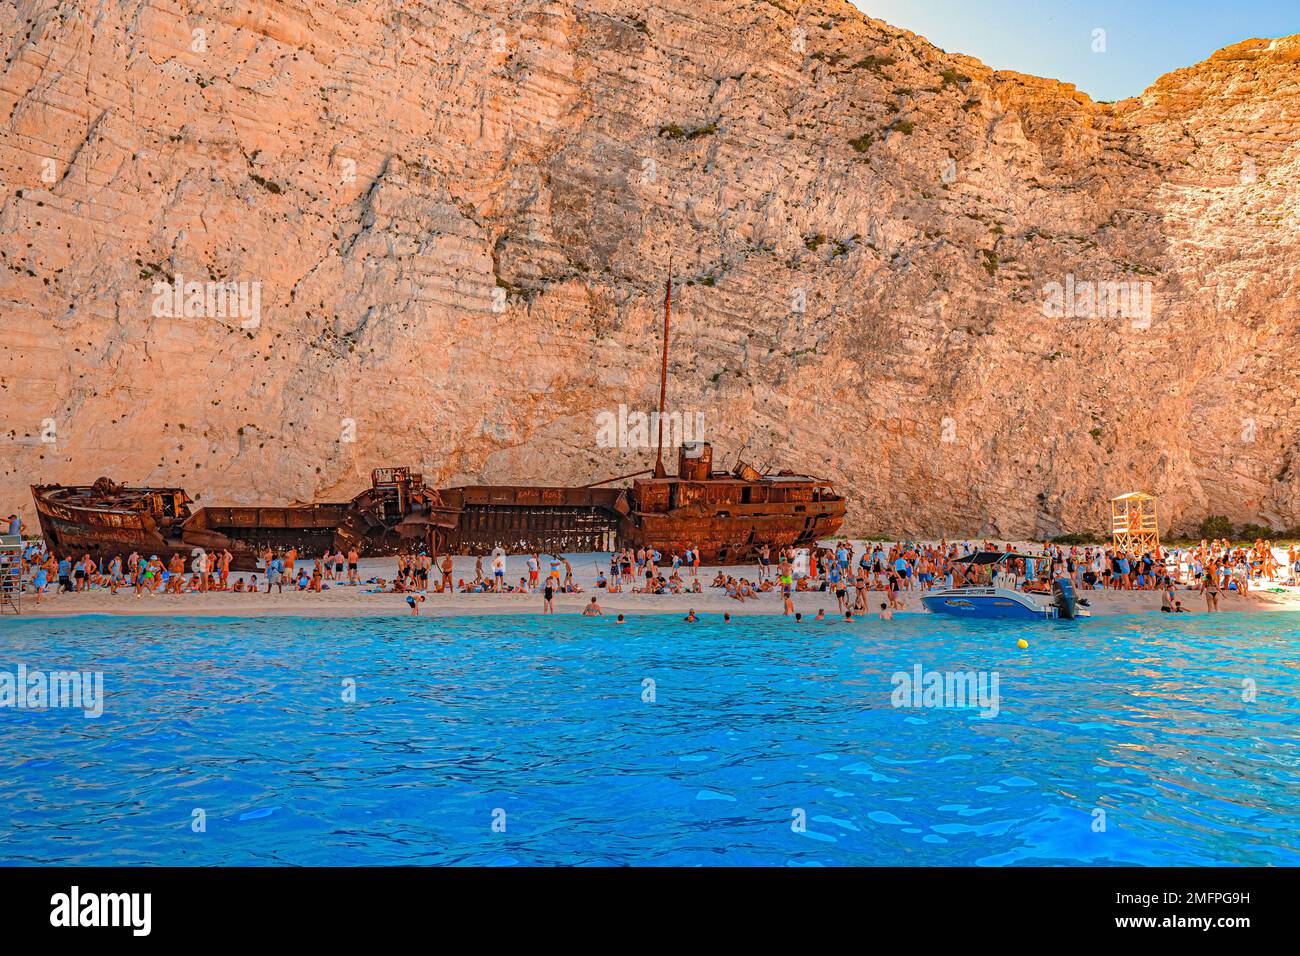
344	600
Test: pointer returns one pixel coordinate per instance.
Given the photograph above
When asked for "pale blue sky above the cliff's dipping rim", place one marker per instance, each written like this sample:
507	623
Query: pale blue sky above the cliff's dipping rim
1054	38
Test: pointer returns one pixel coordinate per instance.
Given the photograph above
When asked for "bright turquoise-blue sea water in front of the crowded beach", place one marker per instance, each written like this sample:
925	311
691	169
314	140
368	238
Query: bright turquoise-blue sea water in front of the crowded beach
545	720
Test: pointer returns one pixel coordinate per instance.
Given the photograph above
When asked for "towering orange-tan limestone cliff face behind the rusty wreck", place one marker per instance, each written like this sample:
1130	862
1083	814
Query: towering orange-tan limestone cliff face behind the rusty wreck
453	223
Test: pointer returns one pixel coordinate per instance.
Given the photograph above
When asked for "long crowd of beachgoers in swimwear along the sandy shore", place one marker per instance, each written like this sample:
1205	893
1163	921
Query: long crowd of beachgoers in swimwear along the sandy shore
852	573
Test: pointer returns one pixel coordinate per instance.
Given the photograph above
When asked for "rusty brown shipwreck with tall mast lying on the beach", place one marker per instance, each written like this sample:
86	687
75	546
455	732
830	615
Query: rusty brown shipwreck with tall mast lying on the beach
727	516
